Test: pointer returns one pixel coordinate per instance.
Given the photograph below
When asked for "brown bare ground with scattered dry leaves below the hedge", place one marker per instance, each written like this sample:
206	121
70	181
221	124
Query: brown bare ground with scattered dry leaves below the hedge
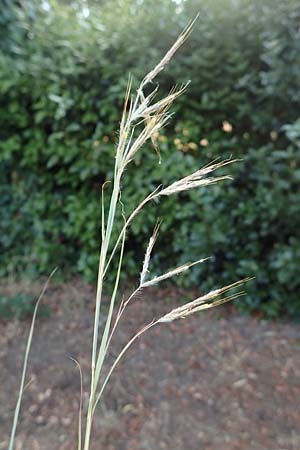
218	381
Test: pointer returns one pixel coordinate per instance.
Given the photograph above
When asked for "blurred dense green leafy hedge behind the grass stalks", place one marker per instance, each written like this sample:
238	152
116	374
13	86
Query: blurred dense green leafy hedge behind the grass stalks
61	86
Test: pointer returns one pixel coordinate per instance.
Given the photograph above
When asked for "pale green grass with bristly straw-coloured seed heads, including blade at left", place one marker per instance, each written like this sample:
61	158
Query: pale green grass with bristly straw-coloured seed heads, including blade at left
141	121
